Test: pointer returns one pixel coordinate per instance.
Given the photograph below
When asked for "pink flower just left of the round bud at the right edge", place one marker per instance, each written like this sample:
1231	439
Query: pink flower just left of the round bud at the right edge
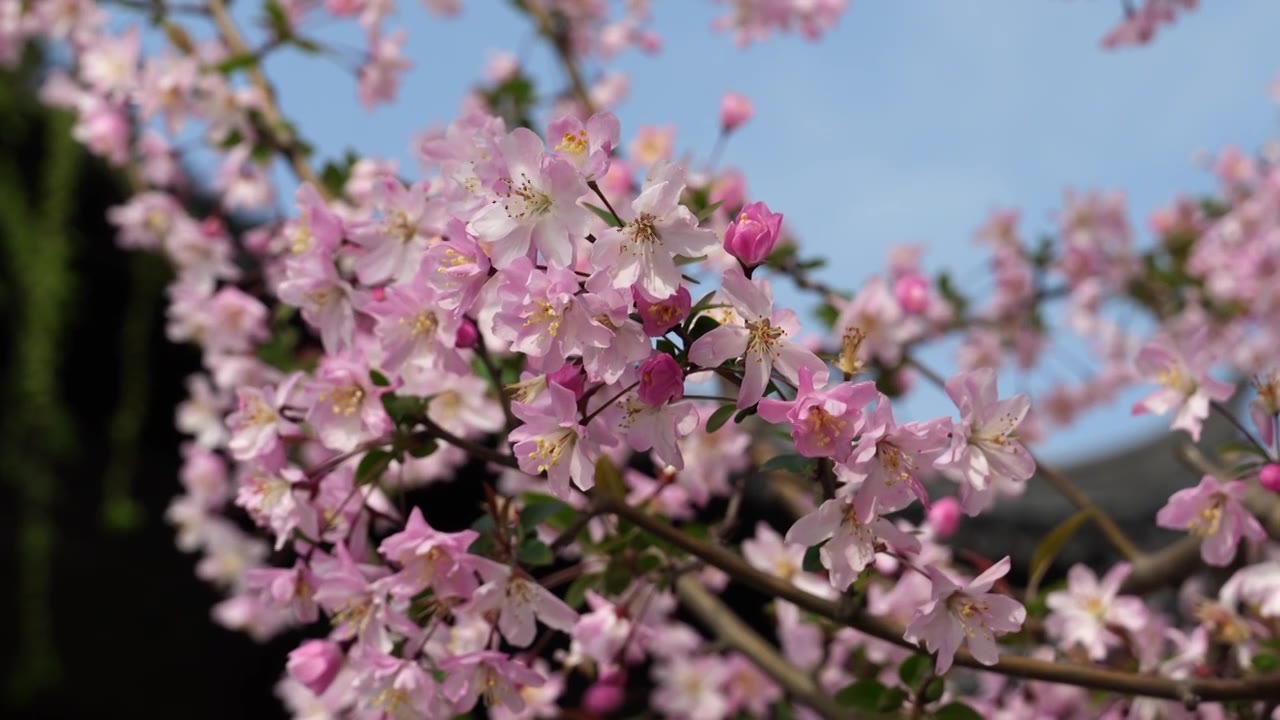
1213	513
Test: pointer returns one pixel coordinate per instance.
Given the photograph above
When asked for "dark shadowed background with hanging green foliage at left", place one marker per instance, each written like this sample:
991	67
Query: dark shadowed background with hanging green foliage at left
100	616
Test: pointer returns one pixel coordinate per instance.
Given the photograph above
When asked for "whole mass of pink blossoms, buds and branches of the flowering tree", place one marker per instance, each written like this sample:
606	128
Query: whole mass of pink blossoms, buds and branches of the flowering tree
588	330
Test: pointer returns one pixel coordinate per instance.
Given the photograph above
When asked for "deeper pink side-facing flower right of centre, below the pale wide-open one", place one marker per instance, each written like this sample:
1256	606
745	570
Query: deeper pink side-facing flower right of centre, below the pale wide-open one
824	423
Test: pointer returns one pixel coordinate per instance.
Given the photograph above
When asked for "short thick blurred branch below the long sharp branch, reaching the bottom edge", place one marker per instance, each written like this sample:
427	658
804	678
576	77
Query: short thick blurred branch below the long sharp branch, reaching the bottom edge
739	636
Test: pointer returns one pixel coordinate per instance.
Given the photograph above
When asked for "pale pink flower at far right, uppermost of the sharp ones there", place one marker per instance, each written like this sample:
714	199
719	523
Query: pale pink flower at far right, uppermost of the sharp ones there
1187	390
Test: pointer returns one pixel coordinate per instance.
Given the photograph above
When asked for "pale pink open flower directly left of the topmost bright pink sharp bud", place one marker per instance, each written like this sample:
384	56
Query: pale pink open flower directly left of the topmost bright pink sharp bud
643	252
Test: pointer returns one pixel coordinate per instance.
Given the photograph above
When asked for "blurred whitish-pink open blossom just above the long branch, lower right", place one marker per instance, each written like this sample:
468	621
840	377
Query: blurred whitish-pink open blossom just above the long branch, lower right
1085	613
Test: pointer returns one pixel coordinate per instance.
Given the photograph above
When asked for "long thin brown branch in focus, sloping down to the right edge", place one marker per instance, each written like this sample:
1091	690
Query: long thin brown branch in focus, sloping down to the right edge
1064	673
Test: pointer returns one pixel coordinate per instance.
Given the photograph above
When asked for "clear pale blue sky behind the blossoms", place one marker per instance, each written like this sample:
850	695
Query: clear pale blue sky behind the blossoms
907	124
